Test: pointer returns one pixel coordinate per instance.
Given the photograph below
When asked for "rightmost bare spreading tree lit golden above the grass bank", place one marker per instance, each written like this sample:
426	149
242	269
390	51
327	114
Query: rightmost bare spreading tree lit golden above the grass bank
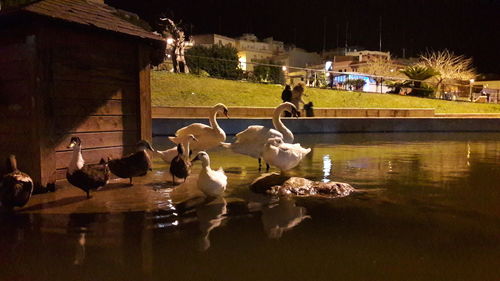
451	67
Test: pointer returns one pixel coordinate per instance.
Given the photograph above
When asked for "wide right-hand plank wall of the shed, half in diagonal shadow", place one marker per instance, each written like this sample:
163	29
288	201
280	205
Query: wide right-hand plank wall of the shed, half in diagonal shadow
94	94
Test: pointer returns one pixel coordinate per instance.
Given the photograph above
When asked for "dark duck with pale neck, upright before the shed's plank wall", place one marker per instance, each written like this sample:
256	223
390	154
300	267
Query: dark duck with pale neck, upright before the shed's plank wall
86	177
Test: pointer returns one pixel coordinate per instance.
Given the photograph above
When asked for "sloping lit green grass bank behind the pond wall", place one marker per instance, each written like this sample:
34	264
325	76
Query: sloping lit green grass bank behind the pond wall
188	90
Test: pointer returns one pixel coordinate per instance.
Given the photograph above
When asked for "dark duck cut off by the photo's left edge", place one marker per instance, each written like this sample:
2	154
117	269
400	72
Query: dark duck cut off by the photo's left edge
16	187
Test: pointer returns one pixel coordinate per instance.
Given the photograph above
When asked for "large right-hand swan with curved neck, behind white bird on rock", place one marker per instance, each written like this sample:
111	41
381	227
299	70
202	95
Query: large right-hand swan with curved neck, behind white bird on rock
252	140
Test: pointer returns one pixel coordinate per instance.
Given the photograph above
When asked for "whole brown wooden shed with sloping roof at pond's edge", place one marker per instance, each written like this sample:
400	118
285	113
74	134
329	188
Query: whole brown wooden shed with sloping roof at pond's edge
73	67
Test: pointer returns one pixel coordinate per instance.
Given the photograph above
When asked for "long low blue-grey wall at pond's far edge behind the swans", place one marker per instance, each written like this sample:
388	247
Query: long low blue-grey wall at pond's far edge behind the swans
168	126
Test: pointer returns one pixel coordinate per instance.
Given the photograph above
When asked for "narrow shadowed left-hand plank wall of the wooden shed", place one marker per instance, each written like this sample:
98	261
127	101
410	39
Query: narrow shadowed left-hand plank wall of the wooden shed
16	102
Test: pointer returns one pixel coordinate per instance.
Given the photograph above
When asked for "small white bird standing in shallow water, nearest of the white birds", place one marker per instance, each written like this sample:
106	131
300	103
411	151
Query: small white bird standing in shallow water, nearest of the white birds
212	183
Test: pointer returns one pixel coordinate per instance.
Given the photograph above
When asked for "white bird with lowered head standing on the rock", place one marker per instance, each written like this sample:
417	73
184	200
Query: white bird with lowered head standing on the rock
285	156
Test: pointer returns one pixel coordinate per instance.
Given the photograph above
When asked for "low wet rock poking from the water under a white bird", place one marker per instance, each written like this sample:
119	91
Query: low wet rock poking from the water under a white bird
277	184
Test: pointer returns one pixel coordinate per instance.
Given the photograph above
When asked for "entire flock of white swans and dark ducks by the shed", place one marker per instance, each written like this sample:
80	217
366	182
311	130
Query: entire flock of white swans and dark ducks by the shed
274	145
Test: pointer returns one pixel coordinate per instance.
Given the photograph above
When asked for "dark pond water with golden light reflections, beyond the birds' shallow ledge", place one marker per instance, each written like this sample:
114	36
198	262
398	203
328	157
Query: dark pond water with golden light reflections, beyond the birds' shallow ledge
428	209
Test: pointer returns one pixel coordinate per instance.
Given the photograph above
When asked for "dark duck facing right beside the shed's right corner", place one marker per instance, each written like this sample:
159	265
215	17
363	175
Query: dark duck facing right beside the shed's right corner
134	165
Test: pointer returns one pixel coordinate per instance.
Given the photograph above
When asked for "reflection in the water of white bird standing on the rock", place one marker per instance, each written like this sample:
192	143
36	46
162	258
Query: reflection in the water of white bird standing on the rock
282	216
